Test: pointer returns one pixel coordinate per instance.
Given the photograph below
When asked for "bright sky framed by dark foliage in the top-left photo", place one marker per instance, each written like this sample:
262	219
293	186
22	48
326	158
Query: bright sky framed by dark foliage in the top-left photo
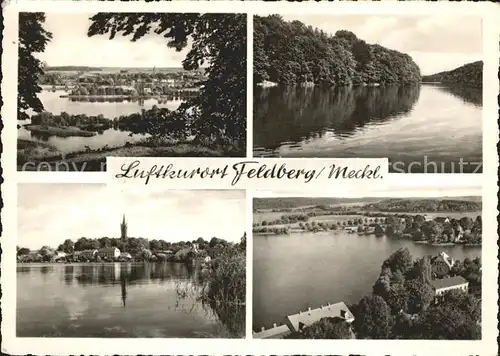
70	45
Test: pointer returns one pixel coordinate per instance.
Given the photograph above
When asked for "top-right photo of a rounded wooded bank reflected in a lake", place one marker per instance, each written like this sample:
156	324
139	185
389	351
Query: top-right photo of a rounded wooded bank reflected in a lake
403	87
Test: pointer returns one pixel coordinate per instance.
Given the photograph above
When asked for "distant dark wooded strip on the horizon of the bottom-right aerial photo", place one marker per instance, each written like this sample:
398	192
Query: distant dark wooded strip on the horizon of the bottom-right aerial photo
424	205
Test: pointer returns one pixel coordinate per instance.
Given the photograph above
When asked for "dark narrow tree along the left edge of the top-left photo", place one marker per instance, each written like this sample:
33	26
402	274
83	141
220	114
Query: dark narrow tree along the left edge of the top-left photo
32	39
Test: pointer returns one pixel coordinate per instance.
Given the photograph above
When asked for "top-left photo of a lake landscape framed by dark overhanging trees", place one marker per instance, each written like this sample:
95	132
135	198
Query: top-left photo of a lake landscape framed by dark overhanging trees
129	85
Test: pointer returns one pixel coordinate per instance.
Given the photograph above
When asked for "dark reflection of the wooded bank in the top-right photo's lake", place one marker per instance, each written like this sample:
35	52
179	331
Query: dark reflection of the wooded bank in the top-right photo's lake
292	114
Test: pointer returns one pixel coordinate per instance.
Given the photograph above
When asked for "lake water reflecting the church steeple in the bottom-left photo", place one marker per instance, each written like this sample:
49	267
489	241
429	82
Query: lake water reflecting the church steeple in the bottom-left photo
117	300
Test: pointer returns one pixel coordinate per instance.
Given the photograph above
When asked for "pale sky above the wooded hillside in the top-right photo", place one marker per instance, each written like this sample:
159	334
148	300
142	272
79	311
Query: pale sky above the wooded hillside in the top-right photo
436	43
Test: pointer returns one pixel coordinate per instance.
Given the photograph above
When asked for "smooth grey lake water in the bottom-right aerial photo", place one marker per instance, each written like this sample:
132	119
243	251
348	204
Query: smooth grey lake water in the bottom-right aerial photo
297	271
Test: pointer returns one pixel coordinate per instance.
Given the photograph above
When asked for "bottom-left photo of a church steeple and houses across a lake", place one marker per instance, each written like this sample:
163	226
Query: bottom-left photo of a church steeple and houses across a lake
94	263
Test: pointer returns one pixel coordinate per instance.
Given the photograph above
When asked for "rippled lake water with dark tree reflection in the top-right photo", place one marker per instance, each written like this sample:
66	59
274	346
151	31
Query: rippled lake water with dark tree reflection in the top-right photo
425	123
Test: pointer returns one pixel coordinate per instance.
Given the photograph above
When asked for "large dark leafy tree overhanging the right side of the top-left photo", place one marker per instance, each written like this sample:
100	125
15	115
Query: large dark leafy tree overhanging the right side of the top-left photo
219	111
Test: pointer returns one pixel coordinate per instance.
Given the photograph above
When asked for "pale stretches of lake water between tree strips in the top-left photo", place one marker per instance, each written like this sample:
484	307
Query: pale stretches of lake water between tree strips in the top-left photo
111	137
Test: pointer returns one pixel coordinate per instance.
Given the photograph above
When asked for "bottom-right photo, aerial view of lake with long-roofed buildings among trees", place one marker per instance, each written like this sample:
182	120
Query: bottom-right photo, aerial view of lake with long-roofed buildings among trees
367	268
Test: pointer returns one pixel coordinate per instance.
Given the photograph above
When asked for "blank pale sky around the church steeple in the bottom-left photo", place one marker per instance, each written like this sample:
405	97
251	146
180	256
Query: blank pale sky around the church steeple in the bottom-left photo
50	213
